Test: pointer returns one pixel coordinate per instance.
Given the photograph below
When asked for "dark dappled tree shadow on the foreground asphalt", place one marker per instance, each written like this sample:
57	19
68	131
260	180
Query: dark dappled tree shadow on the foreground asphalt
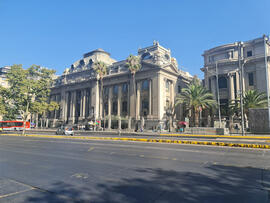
216	184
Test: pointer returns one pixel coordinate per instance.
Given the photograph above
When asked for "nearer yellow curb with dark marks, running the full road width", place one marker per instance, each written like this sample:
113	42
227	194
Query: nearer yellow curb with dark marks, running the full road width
223	144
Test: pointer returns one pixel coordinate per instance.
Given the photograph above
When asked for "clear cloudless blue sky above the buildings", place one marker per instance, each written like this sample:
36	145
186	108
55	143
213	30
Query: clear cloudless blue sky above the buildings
55	33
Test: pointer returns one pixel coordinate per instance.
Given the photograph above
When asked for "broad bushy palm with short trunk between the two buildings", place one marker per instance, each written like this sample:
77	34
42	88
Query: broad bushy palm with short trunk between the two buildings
196	98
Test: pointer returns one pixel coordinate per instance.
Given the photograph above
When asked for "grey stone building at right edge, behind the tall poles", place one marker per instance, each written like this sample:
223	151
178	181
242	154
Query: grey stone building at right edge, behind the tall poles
226	62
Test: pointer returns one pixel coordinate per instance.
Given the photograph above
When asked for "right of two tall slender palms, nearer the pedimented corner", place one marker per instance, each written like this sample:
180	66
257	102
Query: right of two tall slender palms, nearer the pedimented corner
134	65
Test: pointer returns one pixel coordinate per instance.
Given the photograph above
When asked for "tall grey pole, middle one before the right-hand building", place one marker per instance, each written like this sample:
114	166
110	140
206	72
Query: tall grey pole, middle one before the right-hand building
241	68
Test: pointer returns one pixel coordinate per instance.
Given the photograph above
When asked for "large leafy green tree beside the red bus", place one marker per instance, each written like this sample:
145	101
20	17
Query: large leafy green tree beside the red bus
28	86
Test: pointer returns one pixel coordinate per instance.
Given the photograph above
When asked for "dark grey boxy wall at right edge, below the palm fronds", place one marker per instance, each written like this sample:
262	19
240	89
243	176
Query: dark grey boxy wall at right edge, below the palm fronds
258	120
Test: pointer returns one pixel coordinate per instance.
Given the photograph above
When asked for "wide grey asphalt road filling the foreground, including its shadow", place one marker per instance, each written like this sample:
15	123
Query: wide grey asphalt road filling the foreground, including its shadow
62	170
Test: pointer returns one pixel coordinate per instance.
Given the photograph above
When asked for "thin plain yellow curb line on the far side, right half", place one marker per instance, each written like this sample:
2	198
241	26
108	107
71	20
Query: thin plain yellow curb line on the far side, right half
217	136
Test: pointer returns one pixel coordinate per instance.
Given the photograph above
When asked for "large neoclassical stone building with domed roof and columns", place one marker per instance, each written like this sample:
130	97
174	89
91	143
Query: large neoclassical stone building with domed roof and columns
158	81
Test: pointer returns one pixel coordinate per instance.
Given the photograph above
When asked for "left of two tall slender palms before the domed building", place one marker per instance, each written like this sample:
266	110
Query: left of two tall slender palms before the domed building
101	70
